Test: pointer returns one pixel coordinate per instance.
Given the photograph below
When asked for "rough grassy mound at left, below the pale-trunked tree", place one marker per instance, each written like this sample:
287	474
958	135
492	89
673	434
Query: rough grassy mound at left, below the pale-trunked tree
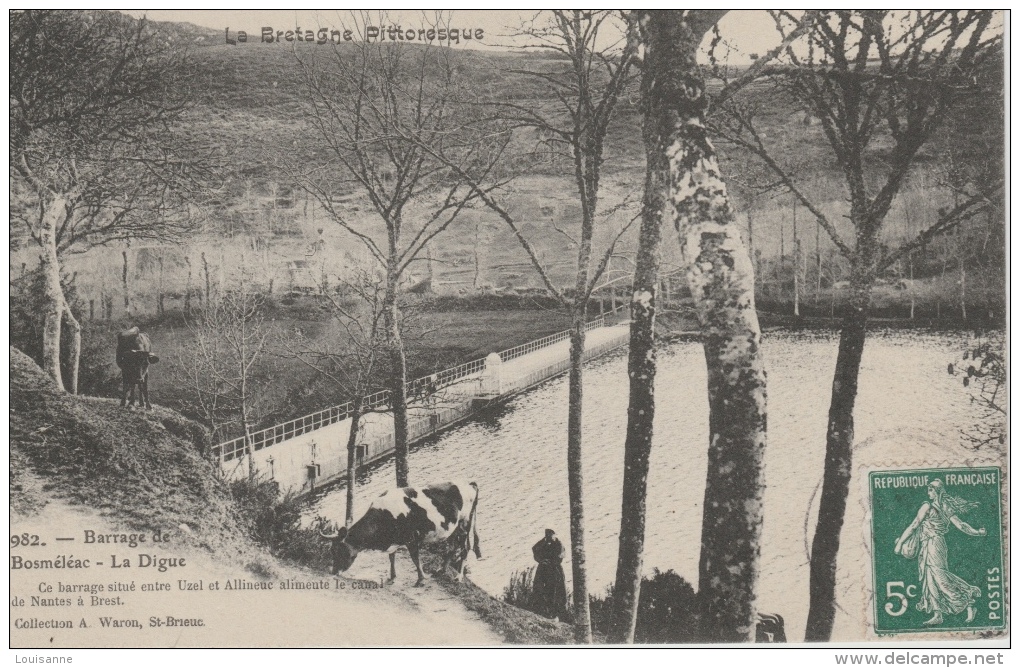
145	471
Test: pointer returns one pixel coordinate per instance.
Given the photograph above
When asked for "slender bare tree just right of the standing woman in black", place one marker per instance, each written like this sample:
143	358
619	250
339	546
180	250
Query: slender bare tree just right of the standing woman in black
588	78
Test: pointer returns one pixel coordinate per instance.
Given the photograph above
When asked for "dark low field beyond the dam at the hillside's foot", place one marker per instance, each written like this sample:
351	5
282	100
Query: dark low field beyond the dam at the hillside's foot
447	333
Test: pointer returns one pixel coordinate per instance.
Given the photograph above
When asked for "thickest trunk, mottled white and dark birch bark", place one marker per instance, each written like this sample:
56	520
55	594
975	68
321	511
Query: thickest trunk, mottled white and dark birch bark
722	280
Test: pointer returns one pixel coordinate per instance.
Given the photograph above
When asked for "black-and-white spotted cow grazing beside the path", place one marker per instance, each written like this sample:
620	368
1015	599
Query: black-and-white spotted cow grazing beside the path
412	517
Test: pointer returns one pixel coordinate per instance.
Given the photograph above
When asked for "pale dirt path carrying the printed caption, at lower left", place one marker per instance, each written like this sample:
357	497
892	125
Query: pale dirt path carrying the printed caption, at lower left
353	615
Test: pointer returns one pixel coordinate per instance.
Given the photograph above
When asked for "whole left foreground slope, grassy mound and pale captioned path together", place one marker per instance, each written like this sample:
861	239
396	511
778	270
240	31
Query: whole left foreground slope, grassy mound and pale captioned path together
80	464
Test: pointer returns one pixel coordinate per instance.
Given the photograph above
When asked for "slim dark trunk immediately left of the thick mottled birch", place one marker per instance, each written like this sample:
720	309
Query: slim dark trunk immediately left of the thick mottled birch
641	369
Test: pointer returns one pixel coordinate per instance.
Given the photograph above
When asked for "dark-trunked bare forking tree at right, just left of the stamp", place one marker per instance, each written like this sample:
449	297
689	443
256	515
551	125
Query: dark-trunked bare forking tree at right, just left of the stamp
868	76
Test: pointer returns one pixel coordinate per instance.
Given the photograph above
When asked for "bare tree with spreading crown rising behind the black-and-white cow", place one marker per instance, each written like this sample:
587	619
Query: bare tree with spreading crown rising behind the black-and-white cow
382	110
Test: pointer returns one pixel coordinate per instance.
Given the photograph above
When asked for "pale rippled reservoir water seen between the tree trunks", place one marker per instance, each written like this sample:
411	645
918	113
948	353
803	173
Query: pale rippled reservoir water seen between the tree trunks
908	407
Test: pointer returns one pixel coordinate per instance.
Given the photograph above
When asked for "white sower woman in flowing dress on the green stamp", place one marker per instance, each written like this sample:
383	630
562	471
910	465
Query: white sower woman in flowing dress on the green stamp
942	592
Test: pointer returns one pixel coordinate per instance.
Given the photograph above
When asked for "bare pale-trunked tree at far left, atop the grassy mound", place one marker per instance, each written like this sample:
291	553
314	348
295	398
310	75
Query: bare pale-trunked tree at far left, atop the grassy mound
94	159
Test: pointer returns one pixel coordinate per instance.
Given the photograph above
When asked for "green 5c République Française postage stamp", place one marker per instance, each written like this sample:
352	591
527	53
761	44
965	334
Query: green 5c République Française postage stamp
938	550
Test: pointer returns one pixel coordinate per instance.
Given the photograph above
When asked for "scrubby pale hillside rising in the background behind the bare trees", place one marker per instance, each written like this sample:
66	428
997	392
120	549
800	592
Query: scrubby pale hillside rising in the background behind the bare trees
250	110
